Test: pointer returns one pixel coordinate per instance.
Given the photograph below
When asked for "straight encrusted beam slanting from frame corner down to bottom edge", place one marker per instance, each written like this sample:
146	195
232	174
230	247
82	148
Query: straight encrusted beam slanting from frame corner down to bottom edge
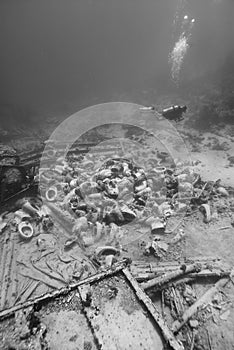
166	332
